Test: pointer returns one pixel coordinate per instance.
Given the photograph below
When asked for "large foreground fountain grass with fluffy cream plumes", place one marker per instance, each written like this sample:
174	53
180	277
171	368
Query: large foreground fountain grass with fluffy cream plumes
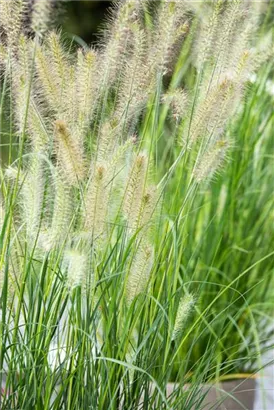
111	232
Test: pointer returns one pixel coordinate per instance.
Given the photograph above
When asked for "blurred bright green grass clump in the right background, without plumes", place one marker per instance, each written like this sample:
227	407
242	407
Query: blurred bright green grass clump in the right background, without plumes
227	248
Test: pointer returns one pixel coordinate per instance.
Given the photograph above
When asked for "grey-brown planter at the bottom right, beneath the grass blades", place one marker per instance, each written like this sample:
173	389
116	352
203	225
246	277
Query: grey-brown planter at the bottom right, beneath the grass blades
228	395
